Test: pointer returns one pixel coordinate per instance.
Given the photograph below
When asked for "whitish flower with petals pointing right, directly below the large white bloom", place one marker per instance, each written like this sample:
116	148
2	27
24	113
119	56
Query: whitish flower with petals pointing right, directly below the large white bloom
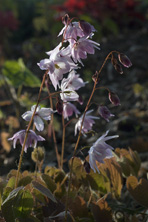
73	81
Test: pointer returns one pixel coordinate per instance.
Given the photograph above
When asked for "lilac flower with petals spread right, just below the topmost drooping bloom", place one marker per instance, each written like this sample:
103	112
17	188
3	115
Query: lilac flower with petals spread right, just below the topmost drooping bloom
80	48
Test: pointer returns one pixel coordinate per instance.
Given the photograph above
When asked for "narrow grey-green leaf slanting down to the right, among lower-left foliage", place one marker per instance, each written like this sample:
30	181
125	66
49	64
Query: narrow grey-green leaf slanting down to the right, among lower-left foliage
46	192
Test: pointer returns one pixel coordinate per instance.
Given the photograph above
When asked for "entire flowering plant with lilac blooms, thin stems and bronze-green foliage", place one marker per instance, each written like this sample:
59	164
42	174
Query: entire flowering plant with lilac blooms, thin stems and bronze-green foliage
92	189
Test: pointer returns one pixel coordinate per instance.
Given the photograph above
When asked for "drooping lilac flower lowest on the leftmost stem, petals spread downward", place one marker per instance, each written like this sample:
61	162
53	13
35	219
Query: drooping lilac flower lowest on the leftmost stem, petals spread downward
32	138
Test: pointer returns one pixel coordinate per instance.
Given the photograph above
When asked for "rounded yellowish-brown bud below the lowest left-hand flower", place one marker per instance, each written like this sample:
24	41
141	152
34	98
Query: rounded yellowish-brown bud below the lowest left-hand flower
38	154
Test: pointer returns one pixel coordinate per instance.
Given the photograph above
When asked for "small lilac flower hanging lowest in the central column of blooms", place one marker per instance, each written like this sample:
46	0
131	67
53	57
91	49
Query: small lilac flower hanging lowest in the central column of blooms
69	109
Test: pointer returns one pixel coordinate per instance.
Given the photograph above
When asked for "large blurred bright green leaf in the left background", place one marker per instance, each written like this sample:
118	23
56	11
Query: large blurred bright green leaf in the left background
17	74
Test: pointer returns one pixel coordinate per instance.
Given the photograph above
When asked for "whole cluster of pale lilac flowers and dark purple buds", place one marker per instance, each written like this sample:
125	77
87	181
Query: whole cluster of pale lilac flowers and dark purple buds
61	66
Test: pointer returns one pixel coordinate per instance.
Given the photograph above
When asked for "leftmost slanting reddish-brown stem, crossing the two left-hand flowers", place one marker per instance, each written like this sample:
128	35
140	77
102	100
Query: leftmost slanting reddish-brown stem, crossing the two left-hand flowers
28	128
